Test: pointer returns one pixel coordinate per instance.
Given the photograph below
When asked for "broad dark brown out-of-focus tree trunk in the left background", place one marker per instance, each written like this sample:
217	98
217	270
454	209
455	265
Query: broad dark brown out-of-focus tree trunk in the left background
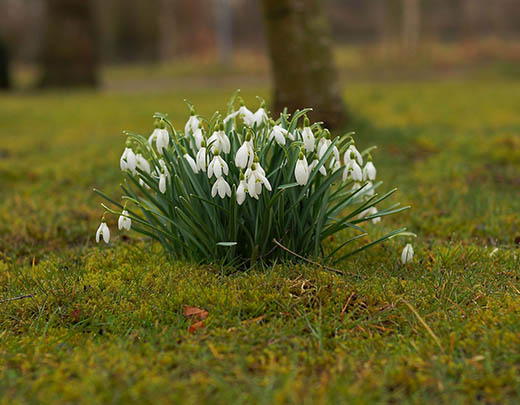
70	49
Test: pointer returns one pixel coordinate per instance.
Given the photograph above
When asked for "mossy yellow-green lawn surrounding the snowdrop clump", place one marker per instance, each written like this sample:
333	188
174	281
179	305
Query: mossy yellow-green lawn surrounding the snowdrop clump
106	324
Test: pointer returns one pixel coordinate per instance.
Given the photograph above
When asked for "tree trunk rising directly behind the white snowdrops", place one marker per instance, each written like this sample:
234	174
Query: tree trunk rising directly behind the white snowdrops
301	59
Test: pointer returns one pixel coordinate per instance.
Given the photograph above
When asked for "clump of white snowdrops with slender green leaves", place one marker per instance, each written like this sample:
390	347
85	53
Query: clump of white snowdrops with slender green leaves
235	189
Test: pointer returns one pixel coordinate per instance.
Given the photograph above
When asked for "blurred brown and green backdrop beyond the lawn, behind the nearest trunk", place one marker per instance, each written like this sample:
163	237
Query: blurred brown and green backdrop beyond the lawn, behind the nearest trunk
127	44
